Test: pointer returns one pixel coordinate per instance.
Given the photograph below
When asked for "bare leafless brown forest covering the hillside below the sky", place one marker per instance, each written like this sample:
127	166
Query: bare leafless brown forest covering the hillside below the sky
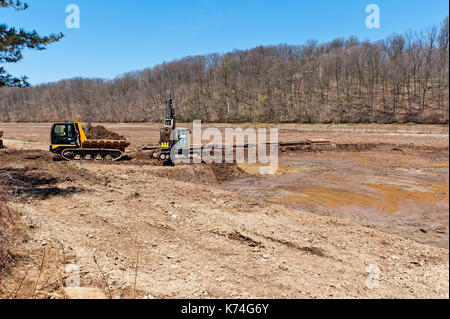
403	78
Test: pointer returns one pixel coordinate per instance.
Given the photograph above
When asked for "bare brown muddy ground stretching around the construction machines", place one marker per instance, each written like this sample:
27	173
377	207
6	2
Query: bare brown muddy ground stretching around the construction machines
331	224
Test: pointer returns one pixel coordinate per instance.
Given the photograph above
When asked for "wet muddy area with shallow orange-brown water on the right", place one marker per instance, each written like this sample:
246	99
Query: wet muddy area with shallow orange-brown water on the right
406	194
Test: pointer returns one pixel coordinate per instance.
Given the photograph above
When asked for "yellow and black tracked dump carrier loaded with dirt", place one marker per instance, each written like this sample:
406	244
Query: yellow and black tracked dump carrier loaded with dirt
70	142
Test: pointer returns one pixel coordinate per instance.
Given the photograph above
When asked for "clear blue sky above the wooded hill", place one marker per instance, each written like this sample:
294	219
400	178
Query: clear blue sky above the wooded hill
119	36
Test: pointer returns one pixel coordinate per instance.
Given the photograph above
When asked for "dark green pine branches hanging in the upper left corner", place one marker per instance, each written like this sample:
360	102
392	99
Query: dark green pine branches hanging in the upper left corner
13	42
